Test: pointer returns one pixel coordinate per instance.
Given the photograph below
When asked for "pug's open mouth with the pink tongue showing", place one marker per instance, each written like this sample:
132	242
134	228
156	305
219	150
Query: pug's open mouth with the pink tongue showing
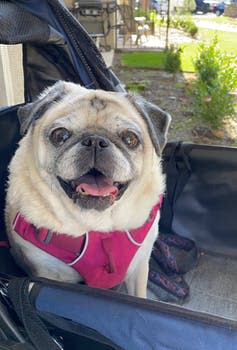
93	187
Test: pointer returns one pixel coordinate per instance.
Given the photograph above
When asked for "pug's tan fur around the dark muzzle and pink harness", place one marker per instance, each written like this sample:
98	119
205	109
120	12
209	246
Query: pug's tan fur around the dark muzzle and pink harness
34	191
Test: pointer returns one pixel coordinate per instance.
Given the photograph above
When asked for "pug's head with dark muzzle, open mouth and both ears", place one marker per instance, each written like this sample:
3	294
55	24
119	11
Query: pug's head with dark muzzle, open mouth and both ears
92	146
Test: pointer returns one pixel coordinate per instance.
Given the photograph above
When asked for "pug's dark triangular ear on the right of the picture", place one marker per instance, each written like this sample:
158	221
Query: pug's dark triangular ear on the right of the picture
157	120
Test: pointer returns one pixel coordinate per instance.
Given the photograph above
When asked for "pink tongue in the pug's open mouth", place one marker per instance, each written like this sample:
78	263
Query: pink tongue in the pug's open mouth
96	186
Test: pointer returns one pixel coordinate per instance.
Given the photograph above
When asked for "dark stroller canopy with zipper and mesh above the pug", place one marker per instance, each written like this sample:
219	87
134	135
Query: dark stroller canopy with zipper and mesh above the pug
55	46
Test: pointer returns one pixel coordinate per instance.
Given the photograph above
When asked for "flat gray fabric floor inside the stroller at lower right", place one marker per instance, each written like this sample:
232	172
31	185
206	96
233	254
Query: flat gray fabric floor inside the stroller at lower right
213	286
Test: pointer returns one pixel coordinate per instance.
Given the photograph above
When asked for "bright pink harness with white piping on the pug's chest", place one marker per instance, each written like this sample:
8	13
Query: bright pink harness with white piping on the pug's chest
102	259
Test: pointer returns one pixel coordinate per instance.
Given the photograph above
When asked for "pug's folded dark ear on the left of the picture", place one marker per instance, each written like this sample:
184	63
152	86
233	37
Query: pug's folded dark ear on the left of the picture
30	112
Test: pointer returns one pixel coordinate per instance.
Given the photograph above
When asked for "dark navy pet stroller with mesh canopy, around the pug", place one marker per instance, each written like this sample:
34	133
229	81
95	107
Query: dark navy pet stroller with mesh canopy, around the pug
200	205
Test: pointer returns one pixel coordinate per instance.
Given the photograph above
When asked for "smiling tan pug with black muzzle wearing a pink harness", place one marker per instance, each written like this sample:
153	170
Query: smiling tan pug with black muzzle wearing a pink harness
85	187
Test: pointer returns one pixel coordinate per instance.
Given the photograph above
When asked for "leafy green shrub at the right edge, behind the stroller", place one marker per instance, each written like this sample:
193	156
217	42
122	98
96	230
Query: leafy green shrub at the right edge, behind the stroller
216	79
